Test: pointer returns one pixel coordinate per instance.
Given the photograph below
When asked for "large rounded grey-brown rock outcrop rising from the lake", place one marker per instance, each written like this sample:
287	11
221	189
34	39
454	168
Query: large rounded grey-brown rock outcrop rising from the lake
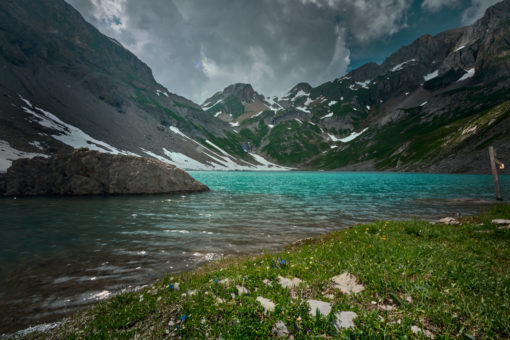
95	173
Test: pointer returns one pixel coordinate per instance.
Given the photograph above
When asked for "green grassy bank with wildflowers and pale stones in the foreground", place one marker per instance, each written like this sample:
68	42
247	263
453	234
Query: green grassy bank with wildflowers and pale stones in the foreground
449	280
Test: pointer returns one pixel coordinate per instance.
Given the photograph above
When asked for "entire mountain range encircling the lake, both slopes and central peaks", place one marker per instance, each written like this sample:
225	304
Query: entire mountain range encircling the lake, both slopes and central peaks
434	105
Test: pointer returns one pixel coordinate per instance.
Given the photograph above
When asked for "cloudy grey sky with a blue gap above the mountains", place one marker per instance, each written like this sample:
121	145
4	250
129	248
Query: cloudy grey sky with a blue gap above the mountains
198	47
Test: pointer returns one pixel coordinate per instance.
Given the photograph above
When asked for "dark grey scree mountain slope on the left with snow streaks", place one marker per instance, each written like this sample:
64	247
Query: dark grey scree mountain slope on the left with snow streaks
52	61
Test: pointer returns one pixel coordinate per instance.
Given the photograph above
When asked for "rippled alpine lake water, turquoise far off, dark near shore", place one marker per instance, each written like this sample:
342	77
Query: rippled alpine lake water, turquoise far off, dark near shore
60	254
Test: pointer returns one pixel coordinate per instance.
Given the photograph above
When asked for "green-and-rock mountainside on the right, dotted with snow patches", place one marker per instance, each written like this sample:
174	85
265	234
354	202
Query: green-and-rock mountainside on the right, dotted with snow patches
434	105
